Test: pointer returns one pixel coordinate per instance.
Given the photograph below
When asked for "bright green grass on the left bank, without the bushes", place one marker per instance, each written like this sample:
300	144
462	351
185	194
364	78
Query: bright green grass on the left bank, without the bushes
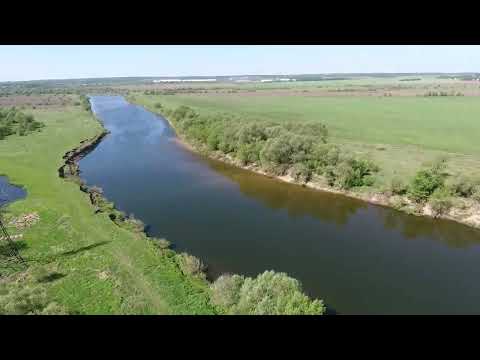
73	241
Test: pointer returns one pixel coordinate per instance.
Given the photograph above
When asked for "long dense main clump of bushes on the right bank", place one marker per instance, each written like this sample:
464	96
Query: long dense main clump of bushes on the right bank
300	147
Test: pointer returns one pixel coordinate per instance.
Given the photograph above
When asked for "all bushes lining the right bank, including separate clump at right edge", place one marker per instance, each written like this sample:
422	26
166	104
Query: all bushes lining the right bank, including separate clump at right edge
301	150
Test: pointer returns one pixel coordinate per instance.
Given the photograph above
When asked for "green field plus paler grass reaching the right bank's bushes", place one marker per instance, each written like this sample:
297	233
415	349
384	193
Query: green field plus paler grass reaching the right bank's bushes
400	133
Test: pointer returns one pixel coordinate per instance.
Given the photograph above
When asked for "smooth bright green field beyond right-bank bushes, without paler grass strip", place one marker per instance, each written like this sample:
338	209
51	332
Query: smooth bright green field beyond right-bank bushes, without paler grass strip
450	124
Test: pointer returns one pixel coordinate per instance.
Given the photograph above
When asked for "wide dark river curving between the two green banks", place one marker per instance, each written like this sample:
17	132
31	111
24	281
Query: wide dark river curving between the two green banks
359	258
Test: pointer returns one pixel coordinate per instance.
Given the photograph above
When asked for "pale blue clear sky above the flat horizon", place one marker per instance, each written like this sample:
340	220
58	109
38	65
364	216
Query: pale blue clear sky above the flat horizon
38	62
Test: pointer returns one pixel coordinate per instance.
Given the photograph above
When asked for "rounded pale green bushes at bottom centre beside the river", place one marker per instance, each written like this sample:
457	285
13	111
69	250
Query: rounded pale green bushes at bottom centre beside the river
269	293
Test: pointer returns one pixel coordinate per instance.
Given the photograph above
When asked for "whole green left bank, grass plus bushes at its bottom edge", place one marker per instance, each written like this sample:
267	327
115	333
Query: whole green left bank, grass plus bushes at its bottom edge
81	262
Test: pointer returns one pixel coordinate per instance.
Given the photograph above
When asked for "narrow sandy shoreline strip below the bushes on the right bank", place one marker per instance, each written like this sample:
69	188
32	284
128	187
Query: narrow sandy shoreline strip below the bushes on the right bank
465	211
